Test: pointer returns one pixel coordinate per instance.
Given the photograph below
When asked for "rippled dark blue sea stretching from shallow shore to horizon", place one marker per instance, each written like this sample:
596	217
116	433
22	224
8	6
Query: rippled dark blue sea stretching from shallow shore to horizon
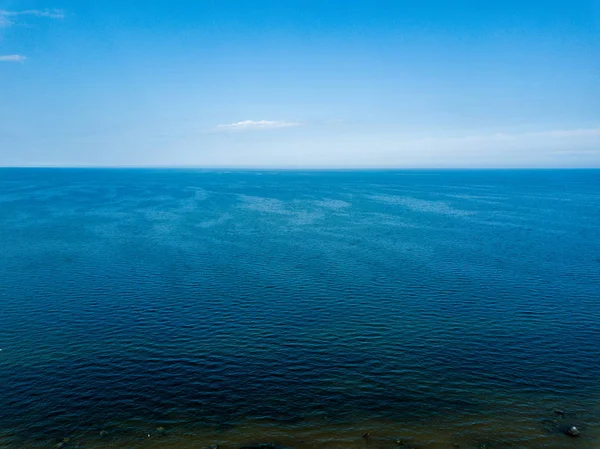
172	308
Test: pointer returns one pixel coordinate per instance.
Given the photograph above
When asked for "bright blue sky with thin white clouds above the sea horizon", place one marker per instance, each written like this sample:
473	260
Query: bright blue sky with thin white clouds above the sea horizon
328	83
